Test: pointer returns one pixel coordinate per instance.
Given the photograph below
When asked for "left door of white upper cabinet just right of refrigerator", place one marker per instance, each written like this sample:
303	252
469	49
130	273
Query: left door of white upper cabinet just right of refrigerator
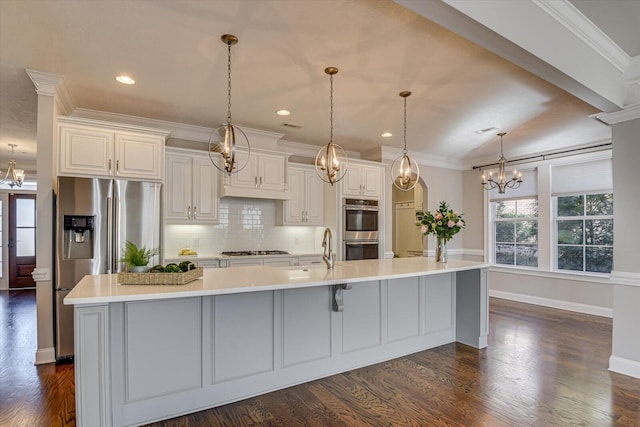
177	190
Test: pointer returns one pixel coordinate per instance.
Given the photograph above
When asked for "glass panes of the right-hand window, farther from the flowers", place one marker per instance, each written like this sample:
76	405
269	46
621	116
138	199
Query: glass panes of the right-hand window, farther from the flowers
584	232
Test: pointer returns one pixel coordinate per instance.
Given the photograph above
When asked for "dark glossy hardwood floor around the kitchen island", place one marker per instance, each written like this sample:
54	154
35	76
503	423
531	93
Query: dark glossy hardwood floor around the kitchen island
543	367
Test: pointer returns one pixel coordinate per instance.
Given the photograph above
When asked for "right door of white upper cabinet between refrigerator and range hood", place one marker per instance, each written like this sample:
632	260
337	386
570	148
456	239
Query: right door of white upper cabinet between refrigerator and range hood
205	191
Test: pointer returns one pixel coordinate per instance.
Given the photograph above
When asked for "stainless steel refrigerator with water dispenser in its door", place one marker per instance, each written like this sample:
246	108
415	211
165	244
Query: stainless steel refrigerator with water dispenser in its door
94	218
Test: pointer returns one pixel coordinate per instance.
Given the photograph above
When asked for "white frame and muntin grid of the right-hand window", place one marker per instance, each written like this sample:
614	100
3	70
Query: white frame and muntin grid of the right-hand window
584	217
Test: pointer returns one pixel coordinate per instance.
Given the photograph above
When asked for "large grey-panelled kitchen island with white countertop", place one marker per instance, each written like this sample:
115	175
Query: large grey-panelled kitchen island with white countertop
146	353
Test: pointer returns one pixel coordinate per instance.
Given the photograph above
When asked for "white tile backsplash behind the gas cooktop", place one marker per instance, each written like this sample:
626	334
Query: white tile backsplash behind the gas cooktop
245	224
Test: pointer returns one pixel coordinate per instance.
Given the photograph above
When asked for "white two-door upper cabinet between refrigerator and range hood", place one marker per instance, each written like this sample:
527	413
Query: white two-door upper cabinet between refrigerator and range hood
191	188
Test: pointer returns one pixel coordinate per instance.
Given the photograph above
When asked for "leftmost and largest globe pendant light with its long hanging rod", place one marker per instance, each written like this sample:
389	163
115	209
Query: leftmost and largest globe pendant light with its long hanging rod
223	139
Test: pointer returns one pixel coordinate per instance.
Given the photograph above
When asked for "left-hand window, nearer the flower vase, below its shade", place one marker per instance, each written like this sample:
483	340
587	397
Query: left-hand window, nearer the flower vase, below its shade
516	232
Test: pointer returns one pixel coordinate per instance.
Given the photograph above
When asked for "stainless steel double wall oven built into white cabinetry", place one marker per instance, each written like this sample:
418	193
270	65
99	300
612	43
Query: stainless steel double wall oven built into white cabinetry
360	229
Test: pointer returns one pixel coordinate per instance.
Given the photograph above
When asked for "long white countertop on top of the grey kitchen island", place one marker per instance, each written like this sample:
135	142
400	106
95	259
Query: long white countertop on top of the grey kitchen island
217	281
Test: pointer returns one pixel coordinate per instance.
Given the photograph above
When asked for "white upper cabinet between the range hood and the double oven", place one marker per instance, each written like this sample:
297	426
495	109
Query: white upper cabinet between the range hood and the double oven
306	203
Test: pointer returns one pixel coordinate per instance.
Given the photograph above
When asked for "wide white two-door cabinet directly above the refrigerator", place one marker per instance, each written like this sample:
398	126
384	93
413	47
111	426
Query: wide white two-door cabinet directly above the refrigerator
100	149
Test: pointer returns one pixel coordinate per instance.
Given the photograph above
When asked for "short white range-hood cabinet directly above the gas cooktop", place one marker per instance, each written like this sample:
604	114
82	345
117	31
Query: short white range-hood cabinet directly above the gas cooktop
262	177
